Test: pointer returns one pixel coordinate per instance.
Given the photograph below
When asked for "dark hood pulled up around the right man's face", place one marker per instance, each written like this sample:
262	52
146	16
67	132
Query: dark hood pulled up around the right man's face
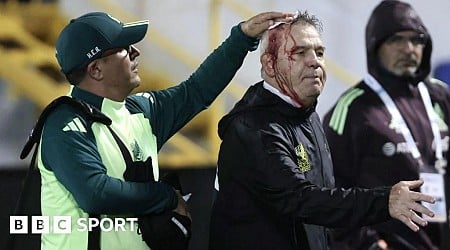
389	17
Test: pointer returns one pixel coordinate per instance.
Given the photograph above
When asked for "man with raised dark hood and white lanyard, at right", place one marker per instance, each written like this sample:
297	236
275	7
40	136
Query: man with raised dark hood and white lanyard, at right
393	125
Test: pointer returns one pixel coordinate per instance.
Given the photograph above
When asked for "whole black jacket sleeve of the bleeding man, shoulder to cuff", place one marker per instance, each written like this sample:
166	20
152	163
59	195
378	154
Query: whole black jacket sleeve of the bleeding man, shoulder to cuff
275	180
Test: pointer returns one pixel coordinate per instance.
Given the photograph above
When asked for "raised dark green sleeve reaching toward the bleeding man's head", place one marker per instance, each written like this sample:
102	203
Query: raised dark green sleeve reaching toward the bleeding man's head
174	107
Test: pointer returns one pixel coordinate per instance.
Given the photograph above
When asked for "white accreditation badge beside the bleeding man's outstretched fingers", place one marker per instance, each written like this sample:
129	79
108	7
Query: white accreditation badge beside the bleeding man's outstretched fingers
434	185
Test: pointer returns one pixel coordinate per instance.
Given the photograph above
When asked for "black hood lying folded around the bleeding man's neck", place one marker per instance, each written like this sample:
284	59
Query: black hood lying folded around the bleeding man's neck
260	101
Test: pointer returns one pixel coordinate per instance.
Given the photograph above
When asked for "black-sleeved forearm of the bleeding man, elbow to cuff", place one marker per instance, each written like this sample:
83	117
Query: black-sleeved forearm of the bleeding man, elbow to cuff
330	207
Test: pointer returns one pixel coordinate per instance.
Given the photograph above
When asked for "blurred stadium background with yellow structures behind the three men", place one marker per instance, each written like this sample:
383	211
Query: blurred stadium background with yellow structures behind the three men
180	35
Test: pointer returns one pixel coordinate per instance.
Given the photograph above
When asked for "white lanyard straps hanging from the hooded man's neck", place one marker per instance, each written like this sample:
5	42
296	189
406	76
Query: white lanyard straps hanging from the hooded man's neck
399	122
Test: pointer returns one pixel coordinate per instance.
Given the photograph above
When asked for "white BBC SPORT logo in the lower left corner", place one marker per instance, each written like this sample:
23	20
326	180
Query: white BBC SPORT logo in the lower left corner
63	224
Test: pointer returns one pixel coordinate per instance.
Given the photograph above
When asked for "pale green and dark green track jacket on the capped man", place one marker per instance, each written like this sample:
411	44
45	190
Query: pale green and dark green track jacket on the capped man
82	166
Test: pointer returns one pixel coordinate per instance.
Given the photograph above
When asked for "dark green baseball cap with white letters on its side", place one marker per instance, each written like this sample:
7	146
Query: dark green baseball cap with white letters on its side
85	38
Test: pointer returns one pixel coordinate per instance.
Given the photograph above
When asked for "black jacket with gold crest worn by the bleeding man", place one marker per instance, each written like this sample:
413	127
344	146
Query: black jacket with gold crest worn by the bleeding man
276	180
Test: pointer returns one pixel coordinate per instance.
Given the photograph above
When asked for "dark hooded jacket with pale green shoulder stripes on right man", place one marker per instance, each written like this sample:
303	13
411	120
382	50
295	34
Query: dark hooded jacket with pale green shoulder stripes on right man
367	151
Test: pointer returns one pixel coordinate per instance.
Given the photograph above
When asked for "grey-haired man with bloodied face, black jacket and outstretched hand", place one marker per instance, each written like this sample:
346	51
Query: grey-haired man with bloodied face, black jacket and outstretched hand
275	174
